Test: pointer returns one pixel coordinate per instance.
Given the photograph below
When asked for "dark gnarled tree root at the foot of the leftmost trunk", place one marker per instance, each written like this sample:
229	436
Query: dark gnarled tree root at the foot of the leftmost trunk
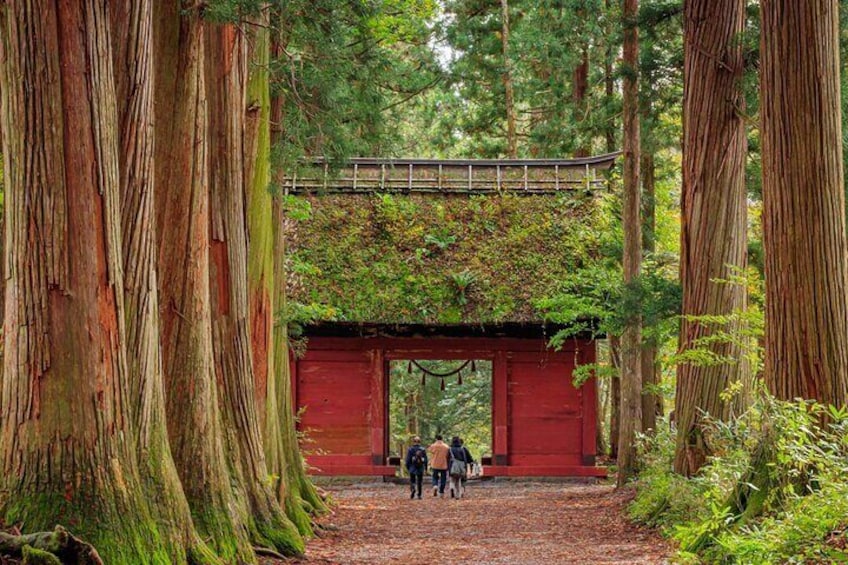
34	548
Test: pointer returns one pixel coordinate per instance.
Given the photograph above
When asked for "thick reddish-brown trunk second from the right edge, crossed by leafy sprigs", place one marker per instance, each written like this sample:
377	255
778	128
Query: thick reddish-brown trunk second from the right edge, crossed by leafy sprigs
713	224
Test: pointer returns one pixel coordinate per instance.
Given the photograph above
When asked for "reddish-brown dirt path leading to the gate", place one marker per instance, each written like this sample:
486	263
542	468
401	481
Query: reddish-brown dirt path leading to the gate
498	523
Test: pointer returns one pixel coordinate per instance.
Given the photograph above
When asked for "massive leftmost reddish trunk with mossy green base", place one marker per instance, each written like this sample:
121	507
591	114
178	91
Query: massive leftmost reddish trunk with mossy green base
67	437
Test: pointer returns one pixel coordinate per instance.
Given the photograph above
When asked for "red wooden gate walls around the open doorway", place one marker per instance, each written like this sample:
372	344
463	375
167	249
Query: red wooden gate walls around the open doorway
542	425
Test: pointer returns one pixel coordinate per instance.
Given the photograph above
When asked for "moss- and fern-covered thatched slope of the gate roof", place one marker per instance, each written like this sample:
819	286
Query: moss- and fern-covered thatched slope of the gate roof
407	259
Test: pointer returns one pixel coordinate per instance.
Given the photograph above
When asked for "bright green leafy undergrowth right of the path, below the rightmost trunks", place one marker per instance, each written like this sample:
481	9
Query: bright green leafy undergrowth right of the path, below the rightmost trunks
804	512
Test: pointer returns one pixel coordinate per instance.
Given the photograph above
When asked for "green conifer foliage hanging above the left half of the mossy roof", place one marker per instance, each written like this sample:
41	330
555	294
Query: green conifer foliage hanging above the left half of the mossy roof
344	70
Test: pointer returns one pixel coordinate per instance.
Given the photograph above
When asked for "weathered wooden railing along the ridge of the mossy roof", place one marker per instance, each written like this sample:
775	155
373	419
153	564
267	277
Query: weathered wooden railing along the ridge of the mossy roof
450	176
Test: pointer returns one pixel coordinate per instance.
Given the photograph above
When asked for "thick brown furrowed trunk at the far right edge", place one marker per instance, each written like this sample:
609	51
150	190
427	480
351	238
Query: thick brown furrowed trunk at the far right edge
803	202
